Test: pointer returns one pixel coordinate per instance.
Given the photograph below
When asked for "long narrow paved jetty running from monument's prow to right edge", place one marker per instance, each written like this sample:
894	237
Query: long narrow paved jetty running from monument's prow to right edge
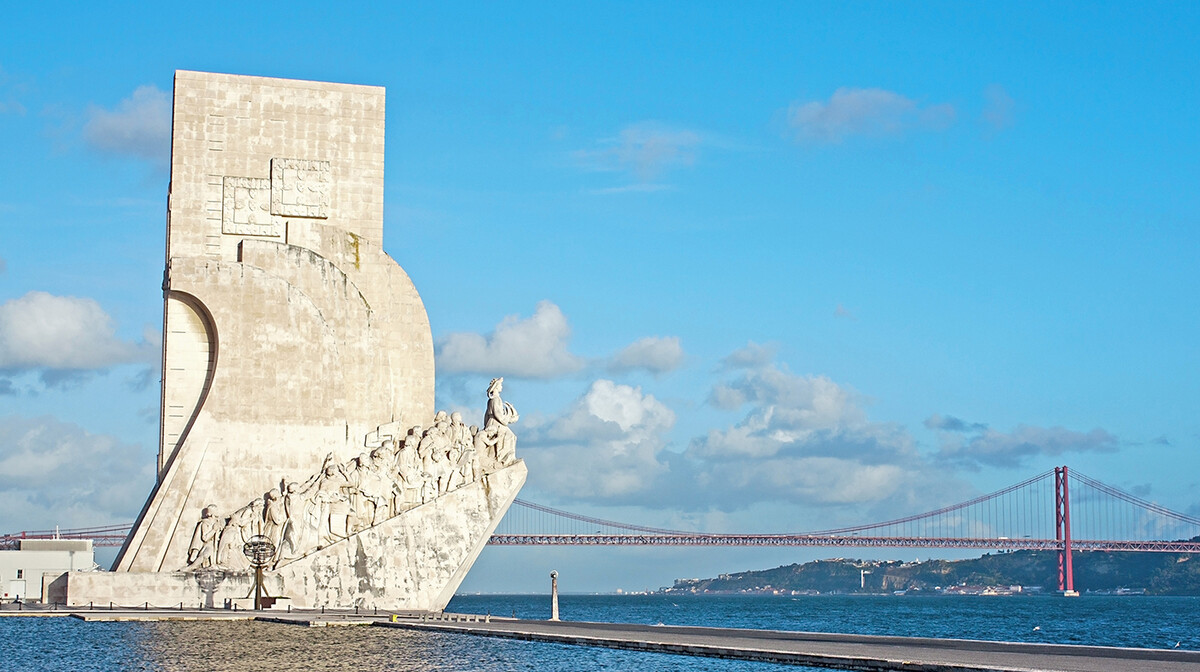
819	650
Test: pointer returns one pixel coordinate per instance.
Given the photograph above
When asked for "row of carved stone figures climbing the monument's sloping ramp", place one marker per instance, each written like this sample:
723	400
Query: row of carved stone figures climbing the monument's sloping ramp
404	470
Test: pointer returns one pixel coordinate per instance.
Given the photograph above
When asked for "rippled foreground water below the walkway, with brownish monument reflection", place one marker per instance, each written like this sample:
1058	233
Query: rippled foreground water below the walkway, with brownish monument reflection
67	644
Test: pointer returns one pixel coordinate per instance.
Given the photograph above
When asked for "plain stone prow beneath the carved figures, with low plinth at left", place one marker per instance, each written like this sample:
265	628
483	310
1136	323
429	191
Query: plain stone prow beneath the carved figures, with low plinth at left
415	561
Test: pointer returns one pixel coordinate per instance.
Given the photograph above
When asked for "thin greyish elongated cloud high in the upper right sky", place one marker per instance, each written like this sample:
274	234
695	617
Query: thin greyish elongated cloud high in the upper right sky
865	112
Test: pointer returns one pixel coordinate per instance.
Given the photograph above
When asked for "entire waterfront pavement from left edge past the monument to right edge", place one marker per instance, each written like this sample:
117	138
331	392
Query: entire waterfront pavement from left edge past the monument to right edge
818	650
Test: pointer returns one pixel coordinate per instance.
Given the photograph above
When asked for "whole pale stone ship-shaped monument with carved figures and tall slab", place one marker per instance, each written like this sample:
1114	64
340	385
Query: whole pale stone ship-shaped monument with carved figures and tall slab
298	374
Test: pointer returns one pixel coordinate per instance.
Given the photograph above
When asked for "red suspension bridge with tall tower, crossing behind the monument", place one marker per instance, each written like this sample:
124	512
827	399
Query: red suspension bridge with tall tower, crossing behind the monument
1051	512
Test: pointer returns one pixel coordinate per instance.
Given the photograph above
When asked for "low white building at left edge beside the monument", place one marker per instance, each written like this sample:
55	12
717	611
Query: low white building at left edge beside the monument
31	572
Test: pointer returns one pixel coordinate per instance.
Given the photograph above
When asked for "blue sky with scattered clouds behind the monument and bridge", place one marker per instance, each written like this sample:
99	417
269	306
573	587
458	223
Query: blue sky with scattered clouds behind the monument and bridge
785	267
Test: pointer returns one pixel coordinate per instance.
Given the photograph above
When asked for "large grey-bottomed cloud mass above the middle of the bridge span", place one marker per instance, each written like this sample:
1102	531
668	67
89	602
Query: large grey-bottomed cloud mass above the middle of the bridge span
808	440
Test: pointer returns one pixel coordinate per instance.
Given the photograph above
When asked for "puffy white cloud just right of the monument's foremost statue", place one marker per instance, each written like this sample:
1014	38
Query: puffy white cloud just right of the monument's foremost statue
605	446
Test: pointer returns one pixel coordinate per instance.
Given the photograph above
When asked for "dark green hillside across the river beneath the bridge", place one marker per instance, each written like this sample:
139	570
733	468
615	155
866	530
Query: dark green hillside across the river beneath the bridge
1159	574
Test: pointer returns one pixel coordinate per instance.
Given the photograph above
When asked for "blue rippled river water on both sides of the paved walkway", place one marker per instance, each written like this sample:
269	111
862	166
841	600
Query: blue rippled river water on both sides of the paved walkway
68	644
